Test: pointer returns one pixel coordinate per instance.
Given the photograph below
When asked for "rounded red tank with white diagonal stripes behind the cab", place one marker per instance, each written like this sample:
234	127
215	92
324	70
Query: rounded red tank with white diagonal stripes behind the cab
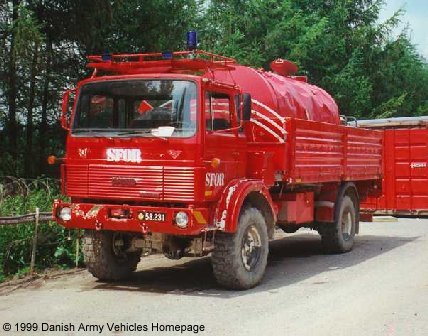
276	97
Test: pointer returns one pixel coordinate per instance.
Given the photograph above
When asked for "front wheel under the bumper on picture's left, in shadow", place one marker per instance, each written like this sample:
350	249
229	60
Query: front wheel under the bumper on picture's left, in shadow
106	257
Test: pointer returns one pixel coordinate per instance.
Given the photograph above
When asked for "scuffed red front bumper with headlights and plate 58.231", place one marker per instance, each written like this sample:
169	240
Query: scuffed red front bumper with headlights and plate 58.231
99	217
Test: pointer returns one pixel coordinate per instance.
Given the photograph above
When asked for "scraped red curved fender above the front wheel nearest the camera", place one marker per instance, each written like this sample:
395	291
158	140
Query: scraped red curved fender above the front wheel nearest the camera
229	206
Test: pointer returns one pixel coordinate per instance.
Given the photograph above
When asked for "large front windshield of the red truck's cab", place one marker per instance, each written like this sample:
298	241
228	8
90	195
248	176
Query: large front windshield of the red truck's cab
165	108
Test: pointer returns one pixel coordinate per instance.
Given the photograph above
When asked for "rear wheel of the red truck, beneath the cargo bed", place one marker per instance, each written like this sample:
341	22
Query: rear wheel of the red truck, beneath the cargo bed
339	237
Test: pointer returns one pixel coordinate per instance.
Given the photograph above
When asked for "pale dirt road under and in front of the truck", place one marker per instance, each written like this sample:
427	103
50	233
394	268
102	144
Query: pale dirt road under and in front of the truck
380	288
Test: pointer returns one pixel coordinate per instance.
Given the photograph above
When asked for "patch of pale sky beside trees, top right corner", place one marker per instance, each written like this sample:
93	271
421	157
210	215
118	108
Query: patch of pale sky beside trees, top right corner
416	16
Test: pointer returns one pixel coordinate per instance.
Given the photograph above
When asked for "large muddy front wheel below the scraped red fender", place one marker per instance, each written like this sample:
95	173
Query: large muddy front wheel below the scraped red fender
239	260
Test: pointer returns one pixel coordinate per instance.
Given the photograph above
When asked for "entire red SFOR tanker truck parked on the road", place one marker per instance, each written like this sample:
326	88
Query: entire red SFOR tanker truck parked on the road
189	153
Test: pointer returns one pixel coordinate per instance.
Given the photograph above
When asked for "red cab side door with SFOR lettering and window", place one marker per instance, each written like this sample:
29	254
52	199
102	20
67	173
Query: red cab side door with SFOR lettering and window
225	143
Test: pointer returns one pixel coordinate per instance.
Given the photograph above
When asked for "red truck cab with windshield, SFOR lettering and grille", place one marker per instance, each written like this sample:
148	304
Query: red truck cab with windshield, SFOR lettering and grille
169	143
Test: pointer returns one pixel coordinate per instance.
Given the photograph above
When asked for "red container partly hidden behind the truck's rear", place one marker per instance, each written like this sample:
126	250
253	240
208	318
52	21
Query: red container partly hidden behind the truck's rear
404	186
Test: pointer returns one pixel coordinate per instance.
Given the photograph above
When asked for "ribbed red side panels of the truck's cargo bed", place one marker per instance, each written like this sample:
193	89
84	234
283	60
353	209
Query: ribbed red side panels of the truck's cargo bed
322	152
